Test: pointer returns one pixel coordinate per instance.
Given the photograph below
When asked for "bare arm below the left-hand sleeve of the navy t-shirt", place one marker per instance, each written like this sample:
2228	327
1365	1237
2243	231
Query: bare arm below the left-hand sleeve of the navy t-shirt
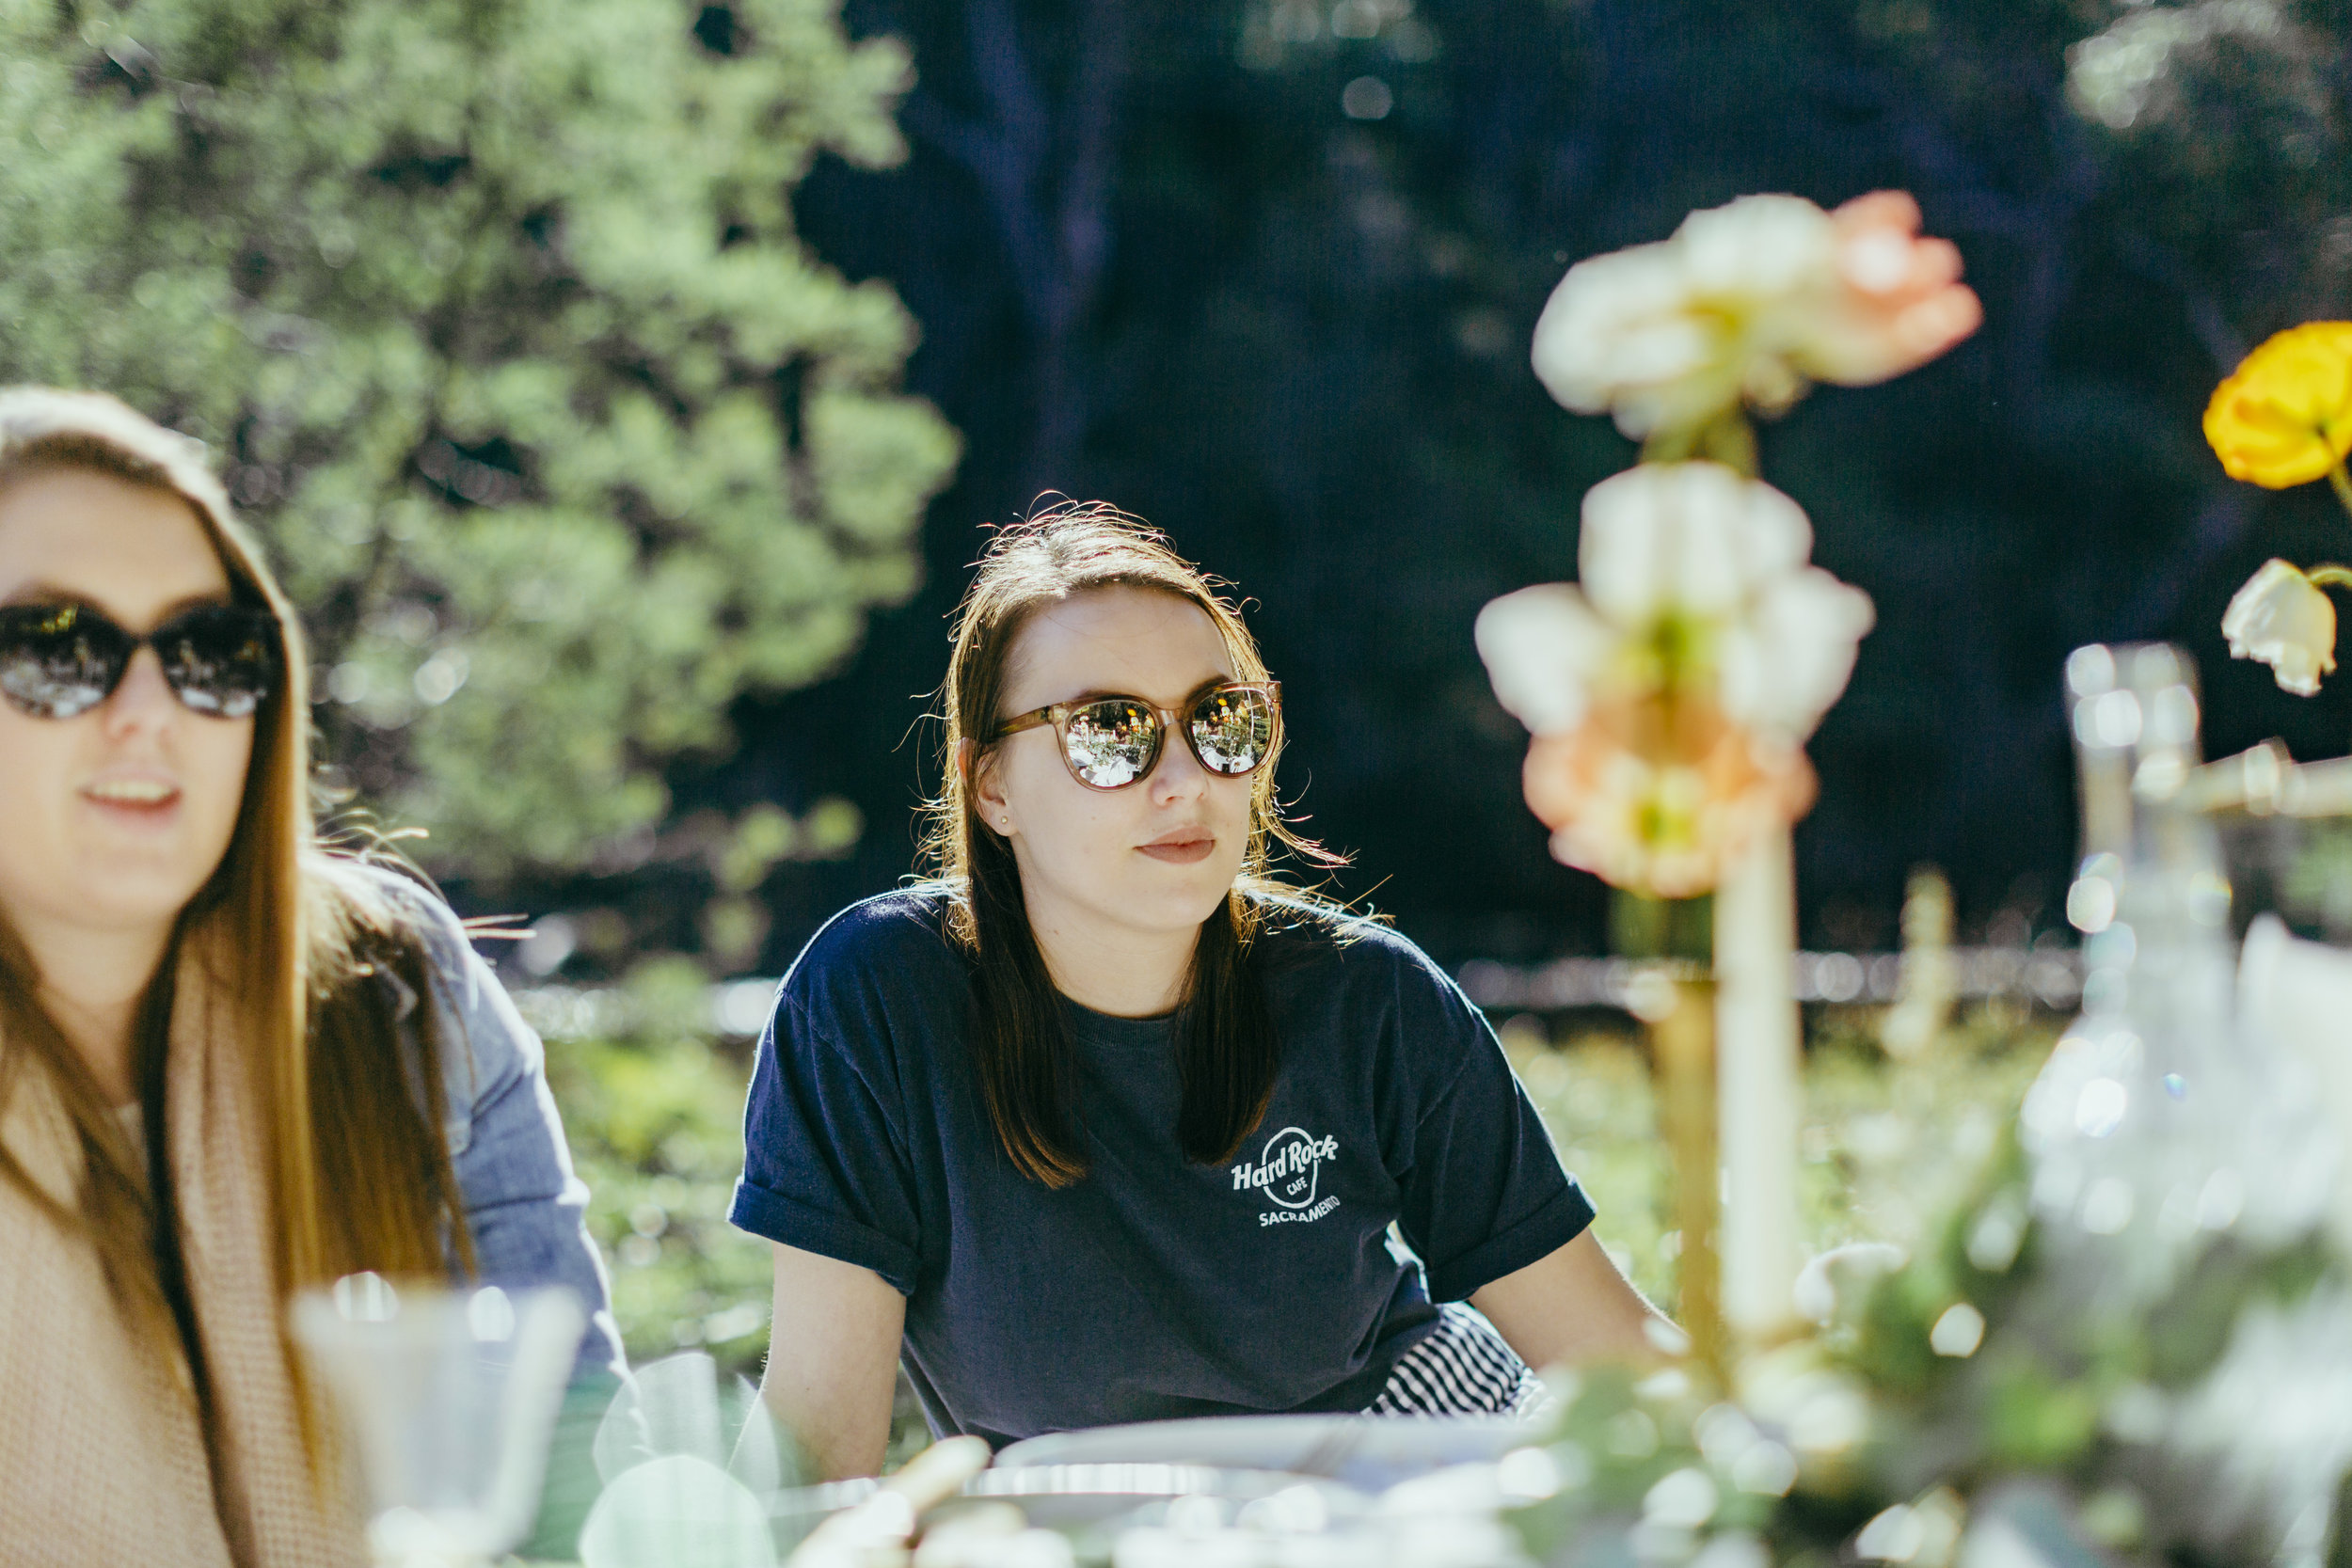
834	1360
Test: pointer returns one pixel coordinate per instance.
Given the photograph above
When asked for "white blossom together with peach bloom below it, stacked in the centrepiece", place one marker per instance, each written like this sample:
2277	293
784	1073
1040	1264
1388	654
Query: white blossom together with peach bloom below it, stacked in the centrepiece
1673	688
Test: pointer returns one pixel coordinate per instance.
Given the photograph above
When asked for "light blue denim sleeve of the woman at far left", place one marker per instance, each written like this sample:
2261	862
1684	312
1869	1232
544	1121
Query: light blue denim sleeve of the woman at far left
507	1141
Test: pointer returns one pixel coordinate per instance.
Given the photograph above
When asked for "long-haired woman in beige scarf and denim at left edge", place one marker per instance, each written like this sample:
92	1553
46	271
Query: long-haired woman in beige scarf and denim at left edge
232	1064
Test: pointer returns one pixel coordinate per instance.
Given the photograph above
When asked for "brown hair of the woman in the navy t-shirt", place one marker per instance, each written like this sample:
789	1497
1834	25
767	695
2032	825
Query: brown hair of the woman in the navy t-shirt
1227	1050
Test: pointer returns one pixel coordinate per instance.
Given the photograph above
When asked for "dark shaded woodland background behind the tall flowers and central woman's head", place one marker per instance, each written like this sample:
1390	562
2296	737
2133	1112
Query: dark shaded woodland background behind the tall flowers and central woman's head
1158	264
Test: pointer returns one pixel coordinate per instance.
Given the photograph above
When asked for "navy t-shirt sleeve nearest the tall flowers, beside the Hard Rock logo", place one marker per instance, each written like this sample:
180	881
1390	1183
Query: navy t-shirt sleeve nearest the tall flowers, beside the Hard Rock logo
1483	1193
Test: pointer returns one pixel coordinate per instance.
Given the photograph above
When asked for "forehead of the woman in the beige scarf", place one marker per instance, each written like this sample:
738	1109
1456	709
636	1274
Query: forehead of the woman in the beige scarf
128	549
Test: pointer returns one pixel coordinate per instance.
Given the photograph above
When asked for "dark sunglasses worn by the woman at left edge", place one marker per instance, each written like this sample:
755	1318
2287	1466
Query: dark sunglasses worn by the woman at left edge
65	659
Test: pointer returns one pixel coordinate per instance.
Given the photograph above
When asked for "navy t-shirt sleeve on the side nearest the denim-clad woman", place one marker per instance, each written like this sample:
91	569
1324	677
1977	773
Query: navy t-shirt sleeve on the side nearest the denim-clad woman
824	1165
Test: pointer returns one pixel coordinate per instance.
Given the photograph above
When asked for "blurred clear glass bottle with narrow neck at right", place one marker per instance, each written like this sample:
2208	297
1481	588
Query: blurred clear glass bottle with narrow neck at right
2160	1123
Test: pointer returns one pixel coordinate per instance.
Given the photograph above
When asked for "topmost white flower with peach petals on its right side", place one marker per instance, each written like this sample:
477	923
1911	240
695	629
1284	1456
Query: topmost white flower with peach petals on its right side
1746	304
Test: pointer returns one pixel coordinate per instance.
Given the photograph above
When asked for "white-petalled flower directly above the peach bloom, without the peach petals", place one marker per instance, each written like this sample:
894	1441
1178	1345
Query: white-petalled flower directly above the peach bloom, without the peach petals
1683	563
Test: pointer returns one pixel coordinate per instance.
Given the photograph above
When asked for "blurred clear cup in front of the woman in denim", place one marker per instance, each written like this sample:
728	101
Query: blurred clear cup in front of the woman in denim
448	1400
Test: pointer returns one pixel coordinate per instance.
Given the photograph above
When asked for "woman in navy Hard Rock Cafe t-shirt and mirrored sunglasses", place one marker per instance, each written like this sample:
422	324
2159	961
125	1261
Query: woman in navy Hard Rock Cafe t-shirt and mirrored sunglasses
1104	1123
